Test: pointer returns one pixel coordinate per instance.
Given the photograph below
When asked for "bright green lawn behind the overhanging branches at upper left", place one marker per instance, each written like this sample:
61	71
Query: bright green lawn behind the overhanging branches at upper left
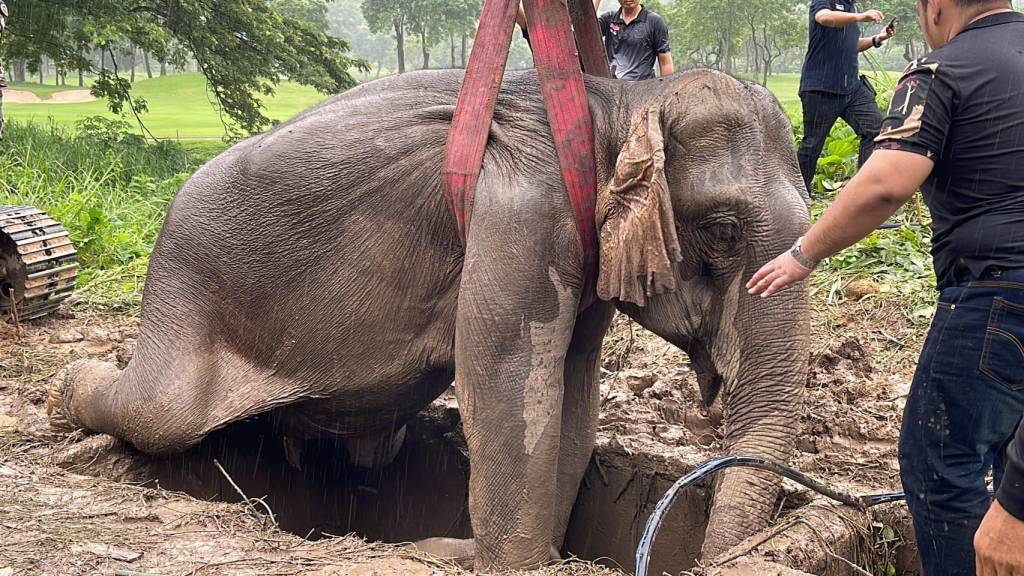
180	106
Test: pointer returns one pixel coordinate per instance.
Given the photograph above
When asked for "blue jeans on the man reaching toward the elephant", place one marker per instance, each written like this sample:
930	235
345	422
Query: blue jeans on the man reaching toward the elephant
964	407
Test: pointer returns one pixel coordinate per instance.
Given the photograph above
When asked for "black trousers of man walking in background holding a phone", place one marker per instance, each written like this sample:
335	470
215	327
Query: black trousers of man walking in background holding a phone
821	112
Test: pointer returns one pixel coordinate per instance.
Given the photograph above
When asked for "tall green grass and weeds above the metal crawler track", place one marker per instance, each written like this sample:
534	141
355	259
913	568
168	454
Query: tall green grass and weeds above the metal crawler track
106	185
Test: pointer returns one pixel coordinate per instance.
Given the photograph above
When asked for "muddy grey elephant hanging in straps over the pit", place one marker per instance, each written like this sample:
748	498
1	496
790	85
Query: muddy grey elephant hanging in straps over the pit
316	271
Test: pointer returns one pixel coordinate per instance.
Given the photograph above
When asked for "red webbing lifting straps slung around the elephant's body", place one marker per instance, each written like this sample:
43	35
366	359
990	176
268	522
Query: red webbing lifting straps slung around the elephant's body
565	95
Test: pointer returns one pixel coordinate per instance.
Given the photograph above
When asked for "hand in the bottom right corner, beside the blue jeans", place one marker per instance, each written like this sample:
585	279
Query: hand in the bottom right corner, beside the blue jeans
999	545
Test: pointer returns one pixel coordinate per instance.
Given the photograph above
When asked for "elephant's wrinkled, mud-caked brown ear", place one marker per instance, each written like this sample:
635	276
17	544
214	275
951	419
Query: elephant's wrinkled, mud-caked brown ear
638	240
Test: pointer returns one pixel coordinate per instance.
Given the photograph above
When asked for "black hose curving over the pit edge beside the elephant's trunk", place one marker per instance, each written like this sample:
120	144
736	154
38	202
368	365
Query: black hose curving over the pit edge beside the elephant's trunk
718	465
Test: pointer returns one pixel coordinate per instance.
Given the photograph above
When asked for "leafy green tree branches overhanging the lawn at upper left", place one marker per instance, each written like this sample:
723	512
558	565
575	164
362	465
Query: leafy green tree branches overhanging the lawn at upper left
244	48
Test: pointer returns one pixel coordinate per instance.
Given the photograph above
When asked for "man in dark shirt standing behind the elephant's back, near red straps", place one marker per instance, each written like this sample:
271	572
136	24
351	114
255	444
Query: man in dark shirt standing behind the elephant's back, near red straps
634	39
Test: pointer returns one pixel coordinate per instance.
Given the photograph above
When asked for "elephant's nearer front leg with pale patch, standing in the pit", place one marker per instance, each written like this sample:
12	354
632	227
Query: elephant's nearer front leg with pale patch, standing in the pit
514	328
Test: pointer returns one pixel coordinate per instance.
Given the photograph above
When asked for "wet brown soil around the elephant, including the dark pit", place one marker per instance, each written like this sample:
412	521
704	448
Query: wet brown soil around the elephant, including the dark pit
653	430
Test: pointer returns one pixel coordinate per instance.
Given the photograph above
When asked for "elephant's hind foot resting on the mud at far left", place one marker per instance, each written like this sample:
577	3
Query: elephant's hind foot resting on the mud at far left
72	388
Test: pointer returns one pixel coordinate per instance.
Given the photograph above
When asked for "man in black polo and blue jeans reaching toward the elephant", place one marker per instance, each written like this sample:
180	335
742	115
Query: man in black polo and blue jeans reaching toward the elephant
956	130
